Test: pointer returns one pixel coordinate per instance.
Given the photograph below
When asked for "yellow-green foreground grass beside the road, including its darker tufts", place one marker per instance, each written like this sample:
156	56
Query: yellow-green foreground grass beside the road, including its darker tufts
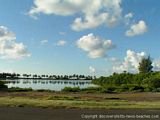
53	101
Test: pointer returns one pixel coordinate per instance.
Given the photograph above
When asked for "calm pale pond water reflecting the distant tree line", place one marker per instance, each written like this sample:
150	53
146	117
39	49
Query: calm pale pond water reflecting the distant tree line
56	85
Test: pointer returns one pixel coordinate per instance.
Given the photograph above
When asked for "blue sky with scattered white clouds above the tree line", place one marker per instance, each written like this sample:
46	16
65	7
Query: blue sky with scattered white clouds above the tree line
90	37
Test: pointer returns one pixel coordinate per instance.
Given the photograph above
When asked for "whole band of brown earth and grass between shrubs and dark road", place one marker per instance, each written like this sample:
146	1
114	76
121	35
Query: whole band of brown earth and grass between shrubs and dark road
85	100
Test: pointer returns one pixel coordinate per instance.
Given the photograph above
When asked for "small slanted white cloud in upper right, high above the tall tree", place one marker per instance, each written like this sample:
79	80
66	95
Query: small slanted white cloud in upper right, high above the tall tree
137	29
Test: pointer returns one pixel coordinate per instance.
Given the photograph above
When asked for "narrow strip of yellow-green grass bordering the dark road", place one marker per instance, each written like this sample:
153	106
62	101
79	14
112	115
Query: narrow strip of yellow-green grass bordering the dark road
108	104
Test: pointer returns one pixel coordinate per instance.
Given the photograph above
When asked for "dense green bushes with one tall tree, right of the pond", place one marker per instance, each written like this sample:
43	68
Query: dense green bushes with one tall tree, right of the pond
146	80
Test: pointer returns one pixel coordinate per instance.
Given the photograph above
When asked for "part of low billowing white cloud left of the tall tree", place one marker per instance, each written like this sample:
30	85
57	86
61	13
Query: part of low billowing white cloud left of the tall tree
130	62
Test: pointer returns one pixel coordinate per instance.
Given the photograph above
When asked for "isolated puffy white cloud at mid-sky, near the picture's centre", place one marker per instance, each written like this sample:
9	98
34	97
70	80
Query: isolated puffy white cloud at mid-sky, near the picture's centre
94	46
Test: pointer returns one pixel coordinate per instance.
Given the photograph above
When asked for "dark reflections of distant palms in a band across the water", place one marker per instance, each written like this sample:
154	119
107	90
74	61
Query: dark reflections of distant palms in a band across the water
54	82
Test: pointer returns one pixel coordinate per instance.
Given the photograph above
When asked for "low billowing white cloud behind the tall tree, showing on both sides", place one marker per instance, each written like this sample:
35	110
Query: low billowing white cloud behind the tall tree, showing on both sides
131	62
